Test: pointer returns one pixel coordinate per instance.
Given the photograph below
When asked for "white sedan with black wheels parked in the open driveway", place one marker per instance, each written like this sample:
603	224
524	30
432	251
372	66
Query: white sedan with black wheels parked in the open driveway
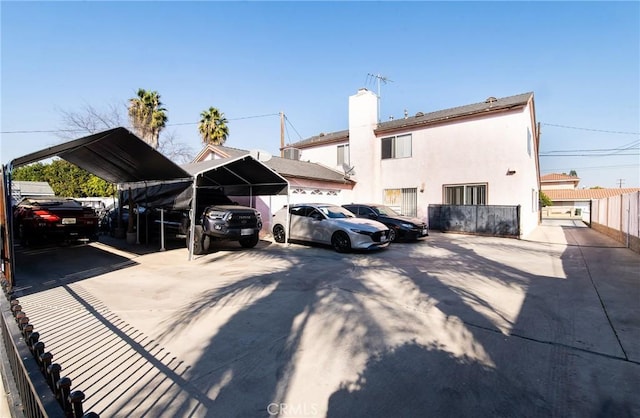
329	224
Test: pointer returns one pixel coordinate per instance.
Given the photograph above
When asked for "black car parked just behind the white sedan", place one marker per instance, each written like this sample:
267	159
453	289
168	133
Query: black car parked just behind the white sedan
400	227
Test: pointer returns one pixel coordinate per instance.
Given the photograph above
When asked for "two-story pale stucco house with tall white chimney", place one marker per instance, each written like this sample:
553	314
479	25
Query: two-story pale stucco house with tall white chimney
480	154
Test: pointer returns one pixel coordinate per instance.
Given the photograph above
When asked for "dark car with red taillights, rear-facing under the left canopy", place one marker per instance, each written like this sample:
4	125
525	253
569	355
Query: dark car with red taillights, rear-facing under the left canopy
54	219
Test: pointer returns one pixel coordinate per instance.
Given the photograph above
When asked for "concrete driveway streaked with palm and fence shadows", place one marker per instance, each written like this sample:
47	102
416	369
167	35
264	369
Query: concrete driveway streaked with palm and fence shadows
454	325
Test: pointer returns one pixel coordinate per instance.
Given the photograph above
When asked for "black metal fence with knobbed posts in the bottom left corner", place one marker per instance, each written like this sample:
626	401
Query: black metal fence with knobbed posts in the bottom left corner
43	393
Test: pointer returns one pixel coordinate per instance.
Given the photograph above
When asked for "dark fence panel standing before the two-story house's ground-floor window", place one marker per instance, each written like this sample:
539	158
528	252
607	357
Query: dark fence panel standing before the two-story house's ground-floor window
503	221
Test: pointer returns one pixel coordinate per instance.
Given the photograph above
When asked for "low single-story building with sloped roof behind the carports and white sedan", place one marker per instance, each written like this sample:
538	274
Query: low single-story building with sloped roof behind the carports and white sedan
308	182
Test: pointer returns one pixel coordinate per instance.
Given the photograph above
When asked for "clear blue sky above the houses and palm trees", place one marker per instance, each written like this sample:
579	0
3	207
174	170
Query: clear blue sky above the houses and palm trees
581	59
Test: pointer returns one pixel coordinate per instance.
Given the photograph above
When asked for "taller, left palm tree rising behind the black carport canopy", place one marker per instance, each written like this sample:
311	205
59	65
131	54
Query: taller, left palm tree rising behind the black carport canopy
147	116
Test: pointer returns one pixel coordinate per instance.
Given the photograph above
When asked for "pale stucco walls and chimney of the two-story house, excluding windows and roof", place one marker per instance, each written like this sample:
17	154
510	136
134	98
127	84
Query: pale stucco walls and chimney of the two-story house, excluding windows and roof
479	150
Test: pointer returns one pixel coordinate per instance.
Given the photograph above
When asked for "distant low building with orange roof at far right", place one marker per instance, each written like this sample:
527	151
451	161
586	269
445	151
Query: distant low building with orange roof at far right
571	202
